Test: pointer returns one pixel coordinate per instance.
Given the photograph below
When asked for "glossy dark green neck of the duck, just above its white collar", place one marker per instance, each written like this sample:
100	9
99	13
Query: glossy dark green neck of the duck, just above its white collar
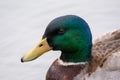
76	57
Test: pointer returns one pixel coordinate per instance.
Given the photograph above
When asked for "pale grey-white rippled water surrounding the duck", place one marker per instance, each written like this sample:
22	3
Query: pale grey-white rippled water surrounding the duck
22	24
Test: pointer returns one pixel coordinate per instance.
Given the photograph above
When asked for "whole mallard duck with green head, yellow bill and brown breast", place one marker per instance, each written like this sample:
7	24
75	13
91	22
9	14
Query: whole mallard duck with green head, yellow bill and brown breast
79	60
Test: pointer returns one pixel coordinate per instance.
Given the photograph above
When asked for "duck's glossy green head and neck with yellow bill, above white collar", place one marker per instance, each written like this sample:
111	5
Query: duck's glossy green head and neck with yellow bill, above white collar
70	34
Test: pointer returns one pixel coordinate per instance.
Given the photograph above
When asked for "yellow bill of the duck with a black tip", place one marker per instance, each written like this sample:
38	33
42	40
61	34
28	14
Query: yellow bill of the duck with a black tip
37	51
